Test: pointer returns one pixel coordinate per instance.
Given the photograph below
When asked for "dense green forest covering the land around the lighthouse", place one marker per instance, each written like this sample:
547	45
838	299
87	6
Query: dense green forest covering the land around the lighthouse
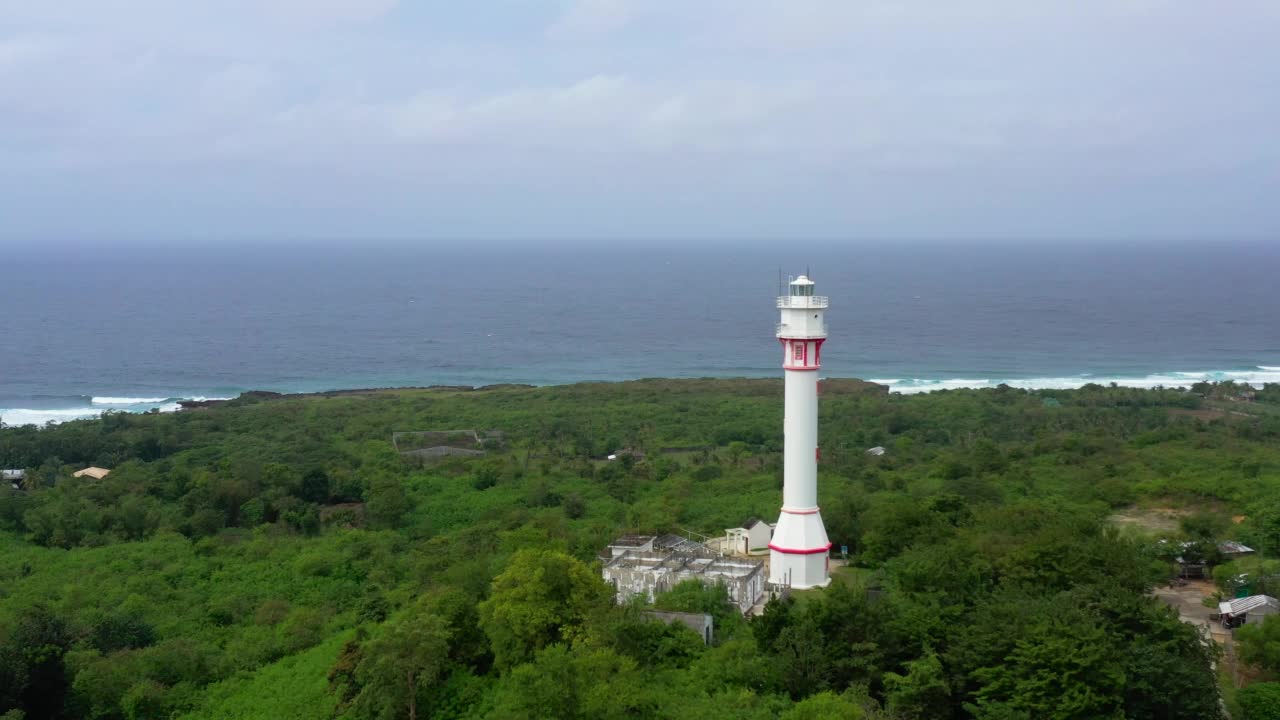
276	557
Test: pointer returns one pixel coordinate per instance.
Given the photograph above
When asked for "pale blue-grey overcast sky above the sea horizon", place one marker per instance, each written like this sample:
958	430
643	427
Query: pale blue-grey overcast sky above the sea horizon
204	120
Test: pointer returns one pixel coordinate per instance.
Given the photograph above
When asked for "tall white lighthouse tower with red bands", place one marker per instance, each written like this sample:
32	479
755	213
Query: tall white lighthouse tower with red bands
798	553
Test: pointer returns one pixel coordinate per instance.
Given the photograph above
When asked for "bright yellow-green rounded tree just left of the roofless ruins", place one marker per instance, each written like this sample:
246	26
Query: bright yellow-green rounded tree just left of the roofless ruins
543	598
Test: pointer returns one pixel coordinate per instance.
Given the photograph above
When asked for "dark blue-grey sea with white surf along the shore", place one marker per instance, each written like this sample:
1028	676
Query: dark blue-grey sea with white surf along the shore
83	331
